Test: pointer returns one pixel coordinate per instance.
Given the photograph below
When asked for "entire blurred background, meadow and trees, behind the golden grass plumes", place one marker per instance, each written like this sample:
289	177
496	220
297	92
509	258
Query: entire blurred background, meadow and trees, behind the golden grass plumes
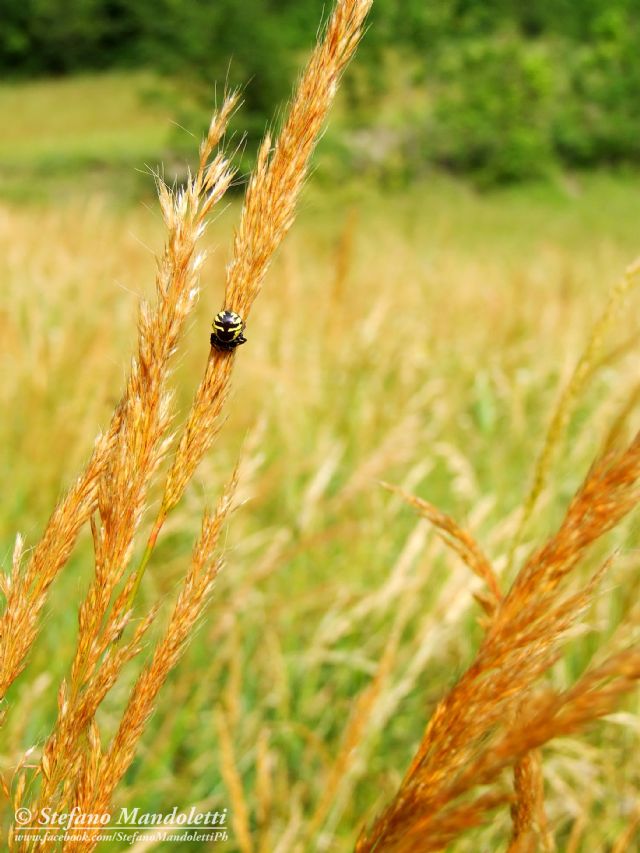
473	201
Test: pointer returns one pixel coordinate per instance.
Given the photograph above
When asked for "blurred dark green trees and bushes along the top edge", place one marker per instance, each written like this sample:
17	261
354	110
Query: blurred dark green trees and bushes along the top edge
501	90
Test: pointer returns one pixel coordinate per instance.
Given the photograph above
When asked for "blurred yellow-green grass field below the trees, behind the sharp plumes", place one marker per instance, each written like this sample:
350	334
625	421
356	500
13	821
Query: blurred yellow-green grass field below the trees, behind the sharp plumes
419	335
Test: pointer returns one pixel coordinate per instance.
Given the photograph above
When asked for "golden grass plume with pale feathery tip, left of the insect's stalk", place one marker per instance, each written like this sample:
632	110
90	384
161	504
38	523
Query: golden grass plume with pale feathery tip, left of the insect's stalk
138	444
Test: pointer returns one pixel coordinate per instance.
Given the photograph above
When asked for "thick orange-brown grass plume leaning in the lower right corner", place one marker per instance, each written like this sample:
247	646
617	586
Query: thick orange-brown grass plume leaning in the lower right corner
496	713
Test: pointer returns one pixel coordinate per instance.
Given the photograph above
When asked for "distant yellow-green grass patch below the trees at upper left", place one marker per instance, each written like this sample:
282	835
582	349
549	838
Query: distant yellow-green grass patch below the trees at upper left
93	127
